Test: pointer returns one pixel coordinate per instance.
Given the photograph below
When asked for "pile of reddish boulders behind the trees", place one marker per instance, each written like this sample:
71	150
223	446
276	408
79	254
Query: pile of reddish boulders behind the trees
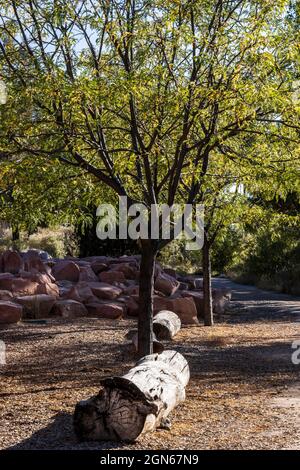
32	286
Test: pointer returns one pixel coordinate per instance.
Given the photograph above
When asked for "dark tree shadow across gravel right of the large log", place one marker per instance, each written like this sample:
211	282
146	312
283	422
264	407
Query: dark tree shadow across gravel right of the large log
270	364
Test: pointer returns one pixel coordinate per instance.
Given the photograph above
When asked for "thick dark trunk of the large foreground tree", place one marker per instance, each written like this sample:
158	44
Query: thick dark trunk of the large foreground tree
146	290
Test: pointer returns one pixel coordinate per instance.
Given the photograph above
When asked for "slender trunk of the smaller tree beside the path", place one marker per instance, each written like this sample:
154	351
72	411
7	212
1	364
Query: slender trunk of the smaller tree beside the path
207	294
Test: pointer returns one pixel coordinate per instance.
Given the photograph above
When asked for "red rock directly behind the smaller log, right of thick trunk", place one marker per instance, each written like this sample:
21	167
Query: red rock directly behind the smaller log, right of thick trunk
185	308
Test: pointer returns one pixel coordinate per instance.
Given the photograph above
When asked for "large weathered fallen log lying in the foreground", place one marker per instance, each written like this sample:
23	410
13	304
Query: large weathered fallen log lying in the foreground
139	402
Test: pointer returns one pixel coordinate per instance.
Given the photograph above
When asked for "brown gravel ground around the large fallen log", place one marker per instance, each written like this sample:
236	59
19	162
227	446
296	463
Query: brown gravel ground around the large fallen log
244	391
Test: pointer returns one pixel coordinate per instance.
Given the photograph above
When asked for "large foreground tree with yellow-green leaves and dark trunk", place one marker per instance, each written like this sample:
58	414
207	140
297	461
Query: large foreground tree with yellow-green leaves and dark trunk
144	95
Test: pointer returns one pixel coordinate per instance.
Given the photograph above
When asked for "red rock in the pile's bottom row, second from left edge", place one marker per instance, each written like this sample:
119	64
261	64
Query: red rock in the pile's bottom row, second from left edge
36	306
